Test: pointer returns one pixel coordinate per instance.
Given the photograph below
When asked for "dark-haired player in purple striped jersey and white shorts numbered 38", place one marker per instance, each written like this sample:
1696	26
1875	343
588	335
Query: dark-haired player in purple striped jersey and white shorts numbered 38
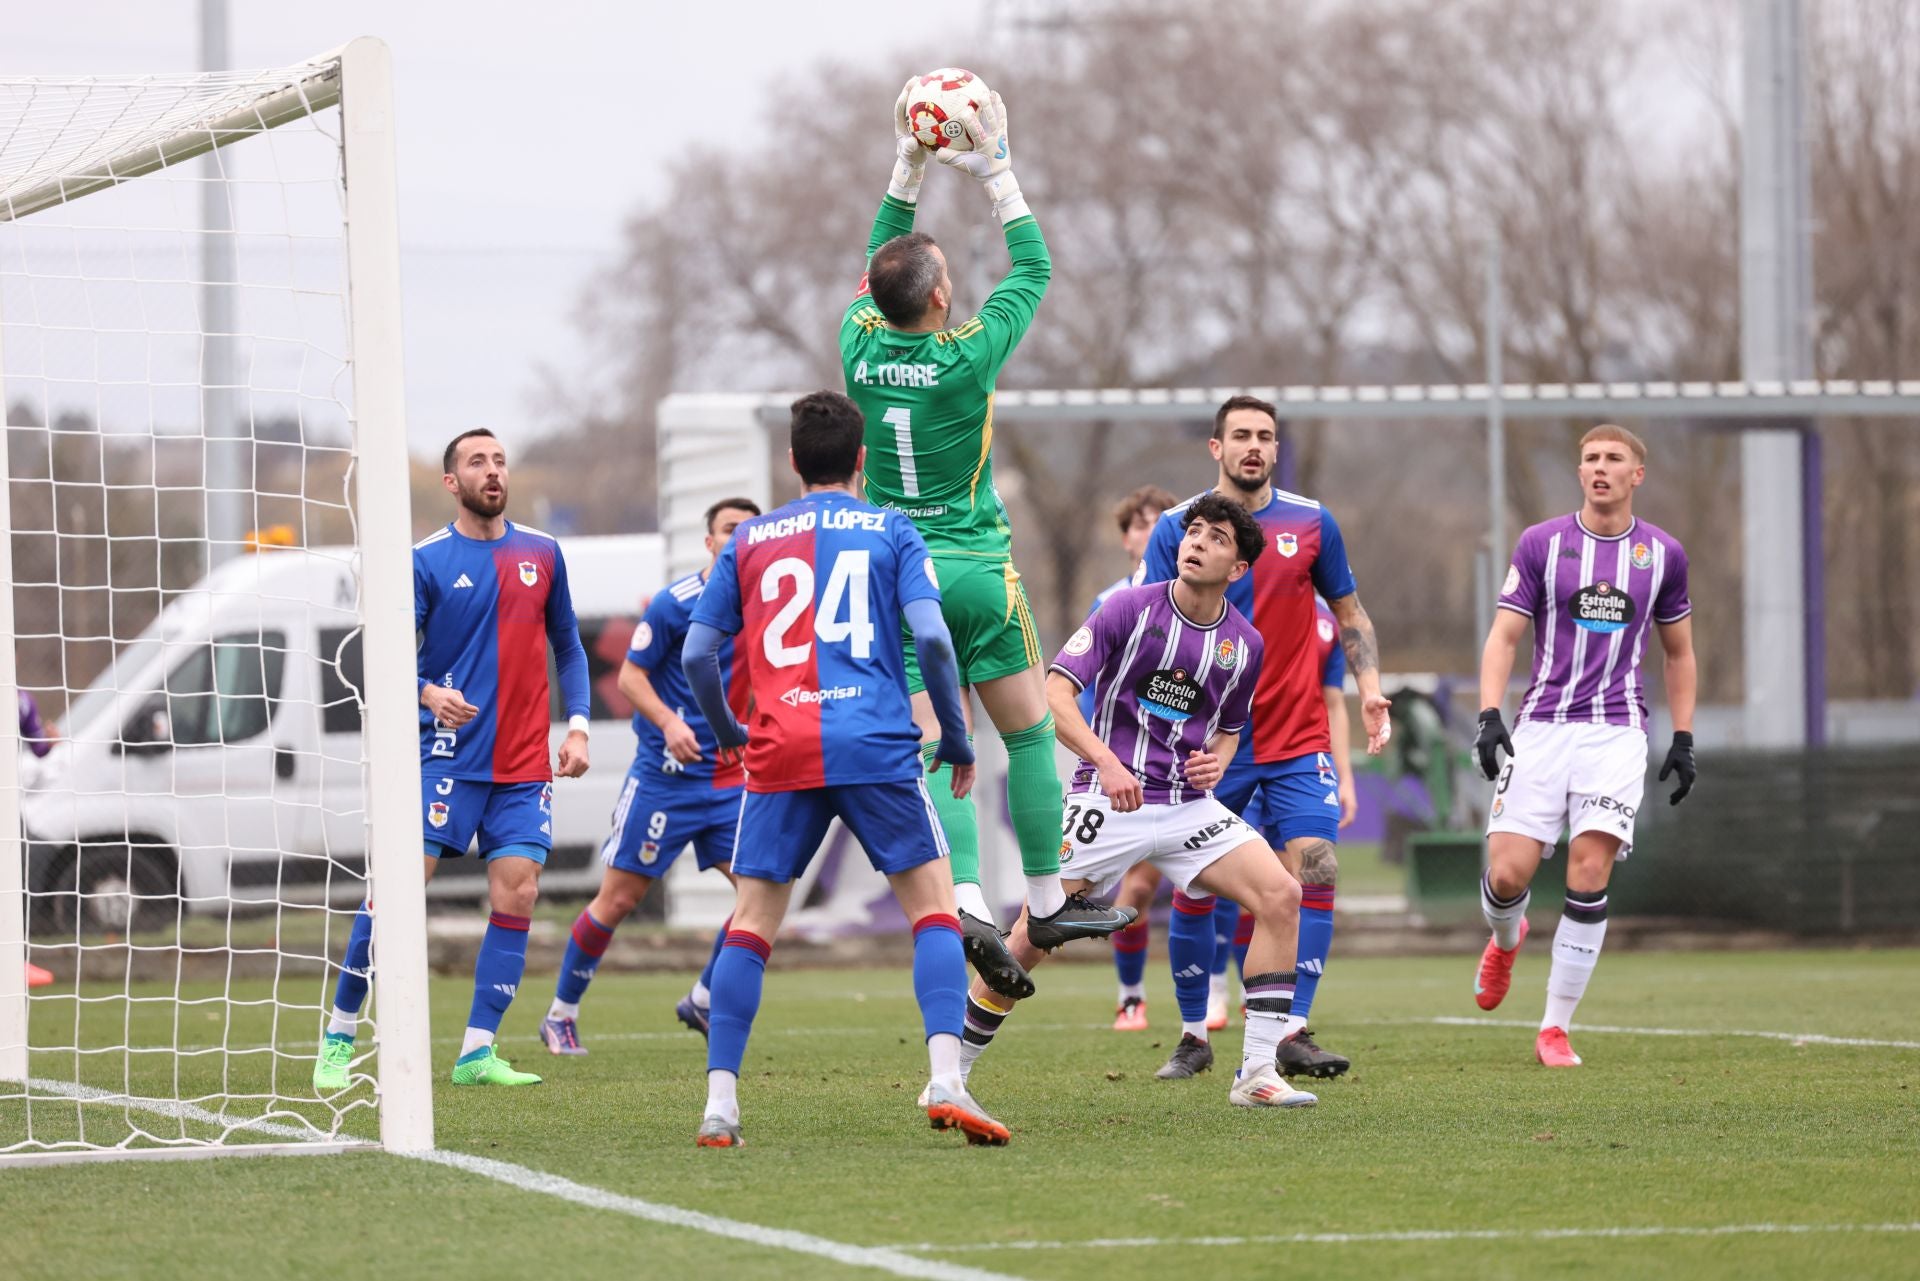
1176	667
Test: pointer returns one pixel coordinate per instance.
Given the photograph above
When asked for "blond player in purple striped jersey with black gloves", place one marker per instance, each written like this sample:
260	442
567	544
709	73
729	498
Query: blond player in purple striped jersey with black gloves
1593	585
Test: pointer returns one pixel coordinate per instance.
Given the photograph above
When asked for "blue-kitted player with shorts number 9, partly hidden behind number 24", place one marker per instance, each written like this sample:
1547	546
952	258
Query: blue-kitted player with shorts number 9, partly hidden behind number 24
677	792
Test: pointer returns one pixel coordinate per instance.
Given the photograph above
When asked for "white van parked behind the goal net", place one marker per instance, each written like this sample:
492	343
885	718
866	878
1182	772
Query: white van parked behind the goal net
218	758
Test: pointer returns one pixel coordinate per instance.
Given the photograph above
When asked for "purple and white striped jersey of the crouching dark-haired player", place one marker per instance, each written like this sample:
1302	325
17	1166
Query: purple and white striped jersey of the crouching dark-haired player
1166	685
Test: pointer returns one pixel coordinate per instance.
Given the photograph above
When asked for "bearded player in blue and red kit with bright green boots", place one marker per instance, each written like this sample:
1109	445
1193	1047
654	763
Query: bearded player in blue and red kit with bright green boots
489	600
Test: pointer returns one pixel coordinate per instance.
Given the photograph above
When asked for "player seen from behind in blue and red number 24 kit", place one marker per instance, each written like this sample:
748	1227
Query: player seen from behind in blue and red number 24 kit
815	594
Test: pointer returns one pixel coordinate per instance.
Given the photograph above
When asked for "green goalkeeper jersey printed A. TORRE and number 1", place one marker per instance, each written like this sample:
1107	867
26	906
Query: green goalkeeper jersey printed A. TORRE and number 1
928	399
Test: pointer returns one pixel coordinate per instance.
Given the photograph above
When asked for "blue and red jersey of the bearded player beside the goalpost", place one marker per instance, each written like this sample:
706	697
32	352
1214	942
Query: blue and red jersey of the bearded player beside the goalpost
487	614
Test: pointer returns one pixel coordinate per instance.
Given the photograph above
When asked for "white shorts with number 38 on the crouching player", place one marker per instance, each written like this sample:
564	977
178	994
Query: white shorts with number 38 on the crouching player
1182	840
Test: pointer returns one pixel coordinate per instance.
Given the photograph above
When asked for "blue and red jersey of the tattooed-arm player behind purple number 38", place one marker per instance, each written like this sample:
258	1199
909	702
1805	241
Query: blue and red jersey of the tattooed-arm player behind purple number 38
1305	556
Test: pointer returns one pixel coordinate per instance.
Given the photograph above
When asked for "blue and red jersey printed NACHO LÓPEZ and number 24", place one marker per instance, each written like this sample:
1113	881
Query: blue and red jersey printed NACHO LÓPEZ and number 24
813	594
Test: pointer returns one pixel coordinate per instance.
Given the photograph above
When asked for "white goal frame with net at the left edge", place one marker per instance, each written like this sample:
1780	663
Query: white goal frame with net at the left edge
208	614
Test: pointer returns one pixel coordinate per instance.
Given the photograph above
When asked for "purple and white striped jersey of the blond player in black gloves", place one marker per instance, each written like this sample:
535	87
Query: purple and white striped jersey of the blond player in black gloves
1593	602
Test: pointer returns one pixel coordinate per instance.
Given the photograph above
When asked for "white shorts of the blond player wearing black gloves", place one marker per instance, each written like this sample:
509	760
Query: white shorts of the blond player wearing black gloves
1572	779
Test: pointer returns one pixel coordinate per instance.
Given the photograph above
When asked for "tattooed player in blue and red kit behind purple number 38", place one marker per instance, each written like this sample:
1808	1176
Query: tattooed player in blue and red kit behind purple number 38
1285	758
